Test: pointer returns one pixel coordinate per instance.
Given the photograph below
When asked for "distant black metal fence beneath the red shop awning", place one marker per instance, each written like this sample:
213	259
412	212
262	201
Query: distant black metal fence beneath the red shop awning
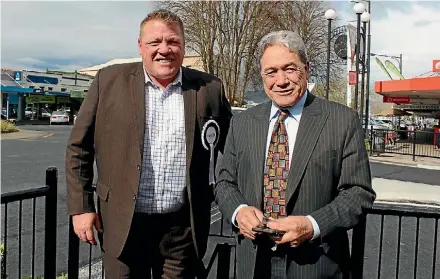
415	143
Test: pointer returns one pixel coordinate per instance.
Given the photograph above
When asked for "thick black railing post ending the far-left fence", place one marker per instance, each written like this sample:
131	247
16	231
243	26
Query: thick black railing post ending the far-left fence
50	241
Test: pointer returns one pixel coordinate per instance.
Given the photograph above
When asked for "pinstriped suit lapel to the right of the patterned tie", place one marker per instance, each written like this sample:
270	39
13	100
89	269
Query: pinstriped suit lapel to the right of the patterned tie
310	127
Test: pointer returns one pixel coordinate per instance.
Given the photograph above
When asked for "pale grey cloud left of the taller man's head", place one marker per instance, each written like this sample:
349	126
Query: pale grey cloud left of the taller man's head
69	35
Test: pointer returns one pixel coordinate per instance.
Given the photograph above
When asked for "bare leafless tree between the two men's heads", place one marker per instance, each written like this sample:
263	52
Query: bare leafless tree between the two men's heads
225	34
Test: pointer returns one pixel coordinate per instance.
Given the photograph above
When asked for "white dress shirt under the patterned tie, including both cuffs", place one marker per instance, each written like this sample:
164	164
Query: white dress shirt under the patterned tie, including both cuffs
292	125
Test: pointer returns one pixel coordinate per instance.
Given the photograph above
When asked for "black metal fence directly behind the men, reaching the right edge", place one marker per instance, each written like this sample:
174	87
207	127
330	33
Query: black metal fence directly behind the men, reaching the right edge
400	239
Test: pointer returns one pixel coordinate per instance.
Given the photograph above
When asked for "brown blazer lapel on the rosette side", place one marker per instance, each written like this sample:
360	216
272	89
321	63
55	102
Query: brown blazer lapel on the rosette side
190	106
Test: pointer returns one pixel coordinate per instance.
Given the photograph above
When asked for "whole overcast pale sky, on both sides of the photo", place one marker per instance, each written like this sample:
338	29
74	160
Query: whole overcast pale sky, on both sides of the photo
74	35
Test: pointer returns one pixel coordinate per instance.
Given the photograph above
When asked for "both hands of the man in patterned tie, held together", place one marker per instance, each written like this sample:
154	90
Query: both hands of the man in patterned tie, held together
297	229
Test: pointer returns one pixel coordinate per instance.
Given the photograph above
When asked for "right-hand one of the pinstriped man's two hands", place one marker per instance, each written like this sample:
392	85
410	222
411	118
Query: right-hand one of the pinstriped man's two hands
297	229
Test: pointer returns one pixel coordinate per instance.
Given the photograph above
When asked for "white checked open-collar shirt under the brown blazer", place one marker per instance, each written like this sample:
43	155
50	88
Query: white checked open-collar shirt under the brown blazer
163	175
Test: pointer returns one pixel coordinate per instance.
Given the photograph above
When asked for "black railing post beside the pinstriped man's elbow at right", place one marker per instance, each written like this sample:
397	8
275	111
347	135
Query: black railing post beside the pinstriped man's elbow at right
358	249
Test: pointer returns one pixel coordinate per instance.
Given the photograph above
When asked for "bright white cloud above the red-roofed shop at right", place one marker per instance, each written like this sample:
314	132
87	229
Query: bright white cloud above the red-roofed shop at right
409	28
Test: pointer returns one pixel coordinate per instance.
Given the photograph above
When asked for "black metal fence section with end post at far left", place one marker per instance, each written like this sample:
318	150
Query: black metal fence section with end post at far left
18	198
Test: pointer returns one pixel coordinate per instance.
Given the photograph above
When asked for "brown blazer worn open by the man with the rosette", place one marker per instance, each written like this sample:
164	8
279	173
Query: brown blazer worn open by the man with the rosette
110	128
